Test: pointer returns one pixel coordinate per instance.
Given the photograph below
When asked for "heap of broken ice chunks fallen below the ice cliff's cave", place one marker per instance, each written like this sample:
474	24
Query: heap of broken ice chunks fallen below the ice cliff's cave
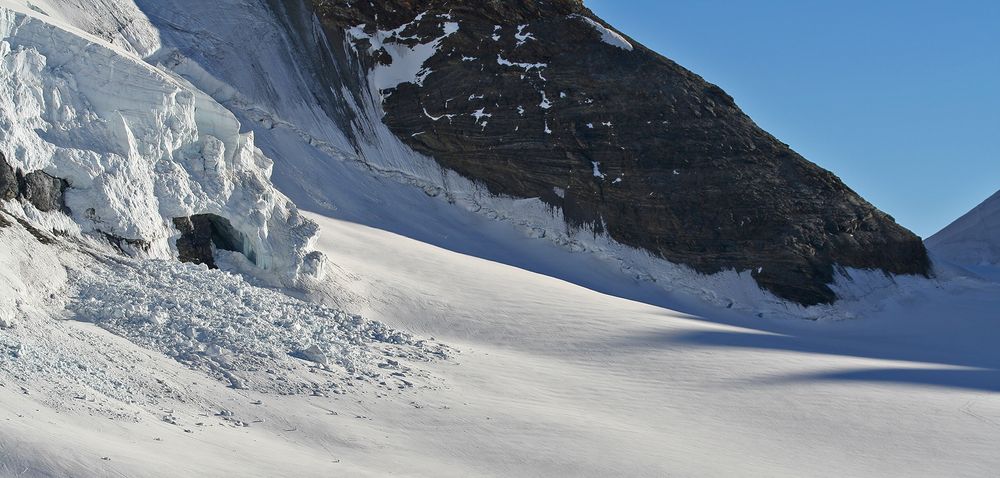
250	336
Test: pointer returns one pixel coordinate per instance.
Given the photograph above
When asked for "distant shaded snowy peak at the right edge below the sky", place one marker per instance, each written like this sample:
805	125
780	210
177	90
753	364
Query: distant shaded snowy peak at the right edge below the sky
973	239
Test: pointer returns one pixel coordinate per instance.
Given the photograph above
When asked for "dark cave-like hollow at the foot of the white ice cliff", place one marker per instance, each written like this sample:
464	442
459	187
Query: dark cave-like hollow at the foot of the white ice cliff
199	233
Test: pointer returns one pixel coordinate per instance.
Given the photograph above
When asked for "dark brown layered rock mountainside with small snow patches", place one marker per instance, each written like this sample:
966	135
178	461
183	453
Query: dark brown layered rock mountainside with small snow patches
527	99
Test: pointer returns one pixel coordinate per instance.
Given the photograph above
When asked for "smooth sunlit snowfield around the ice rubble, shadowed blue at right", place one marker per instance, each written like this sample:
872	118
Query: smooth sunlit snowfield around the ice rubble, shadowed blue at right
547	379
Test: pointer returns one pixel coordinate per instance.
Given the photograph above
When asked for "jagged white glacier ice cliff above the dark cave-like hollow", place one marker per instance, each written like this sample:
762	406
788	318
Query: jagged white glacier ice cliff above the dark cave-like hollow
138	146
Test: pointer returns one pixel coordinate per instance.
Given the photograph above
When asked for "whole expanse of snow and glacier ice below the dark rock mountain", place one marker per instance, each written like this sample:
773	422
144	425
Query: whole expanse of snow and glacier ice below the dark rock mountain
120	361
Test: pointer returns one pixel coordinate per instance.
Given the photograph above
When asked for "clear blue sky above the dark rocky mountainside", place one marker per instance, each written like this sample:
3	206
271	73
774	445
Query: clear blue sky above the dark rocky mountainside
900	98
